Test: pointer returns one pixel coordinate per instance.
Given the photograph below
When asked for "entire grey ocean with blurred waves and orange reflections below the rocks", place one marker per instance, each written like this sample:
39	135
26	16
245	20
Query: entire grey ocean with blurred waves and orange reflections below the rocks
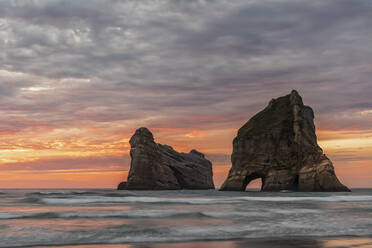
94	218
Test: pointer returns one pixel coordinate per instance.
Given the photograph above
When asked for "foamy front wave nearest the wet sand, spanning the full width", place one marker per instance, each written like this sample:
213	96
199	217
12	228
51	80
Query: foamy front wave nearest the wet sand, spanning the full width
124	234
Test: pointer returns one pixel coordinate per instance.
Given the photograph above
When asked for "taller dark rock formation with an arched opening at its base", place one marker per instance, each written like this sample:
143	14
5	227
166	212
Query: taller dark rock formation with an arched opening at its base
279	146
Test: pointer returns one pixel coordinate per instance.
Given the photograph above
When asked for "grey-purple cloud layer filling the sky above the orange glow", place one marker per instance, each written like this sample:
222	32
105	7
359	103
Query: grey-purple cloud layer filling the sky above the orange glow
168	61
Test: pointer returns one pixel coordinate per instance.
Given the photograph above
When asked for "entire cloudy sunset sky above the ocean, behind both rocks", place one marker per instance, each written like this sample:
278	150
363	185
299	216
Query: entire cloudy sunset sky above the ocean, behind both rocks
77	78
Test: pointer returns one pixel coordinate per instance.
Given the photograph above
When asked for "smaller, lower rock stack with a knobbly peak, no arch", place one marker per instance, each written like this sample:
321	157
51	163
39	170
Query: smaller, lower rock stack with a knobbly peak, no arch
159	167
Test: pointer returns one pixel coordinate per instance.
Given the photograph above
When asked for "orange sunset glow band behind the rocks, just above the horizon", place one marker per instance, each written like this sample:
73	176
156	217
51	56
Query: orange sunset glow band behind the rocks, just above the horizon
80	158
